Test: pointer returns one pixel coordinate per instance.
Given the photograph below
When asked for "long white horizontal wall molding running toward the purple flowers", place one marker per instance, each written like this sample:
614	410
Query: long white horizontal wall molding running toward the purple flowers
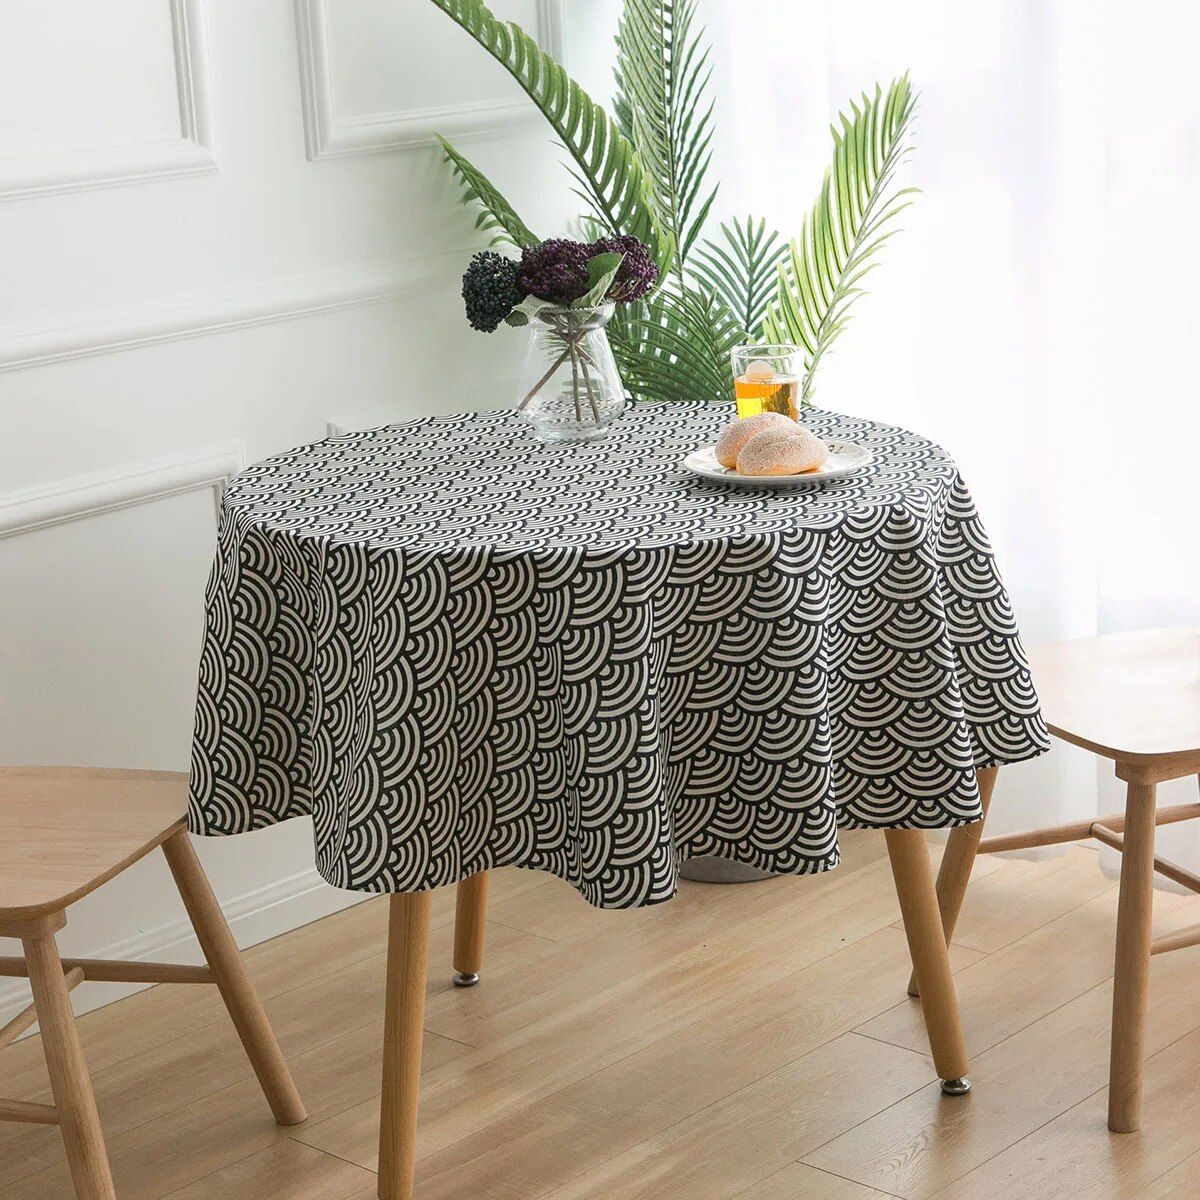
33	346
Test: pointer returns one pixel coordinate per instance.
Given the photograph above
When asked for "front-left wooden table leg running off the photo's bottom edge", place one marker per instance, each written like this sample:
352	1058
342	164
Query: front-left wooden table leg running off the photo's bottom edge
409	939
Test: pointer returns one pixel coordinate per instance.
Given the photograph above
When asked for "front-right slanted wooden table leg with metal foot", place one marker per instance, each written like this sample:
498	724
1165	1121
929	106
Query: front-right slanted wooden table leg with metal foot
927	945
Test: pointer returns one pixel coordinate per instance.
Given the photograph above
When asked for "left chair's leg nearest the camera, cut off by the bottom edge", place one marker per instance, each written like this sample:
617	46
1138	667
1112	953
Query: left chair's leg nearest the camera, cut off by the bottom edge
87	1156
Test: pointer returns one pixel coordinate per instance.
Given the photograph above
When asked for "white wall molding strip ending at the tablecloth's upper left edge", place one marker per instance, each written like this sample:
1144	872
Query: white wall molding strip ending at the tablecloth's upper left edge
88	496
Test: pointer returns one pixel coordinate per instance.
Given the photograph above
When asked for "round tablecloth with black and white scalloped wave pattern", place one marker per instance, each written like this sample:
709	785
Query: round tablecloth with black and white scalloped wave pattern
459	649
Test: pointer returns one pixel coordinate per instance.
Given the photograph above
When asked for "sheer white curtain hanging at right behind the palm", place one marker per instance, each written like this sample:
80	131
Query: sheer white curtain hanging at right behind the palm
1040	314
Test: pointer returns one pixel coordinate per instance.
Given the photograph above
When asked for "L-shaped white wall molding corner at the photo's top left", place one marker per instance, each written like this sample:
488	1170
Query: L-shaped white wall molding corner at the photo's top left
191	154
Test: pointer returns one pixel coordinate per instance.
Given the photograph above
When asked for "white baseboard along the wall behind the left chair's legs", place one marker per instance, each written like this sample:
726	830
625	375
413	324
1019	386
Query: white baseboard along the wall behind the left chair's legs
255	917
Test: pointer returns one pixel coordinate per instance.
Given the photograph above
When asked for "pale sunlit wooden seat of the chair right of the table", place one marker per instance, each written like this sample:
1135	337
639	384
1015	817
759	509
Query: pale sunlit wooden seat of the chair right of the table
1127	697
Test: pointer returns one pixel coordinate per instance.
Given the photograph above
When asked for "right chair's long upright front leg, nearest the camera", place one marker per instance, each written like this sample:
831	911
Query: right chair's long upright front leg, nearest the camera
1131	980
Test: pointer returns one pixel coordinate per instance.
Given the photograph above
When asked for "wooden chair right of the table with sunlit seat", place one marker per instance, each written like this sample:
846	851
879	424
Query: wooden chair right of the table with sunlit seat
1135	699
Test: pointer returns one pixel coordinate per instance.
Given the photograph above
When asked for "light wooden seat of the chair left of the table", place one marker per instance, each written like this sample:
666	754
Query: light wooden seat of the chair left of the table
65	831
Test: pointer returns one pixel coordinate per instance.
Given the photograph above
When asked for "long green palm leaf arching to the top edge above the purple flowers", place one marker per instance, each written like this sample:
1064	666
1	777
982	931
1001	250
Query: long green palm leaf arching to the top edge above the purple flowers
607	166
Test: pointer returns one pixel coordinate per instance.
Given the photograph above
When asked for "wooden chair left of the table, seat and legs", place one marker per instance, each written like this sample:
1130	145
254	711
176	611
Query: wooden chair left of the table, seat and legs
64	832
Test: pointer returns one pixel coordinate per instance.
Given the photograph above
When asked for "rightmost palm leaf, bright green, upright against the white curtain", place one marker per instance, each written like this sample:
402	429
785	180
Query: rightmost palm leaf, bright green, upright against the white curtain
850	221
